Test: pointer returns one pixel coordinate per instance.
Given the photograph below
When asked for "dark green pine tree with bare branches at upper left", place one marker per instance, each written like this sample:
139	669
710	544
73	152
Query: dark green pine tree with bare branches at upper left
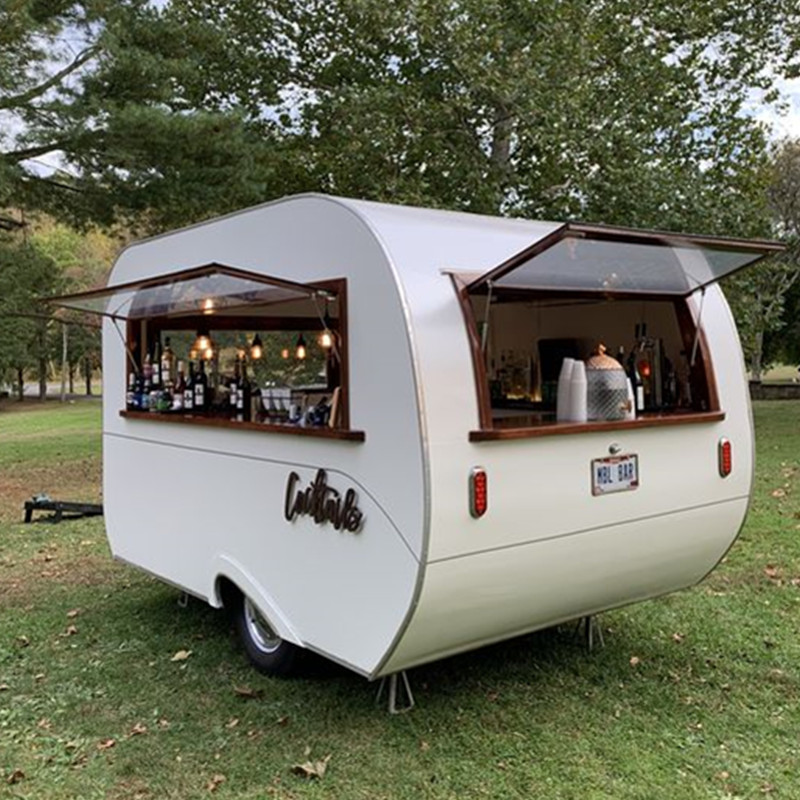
119	93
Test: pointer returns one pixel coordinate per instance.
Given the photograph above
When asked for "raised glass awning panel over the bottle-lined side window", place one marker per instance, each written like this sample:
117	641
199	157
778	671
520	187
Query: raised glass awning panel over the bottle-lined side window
207	290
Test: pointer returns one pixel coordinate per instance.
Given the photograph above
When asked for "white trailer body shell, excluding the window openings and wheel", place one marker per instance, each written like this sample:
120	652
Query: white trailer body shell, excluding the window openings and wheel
421	577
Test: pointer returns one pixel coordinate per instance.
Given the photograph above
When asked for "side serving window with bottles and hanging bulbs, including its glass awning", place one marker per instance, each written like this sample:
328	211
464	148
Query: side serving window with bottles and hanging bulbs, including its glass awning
221	346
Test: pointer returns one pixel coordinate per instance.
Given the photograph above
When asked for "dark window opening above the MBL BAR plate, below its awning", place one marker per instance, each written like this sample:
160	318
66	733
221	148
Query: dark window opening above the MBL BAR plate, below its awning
526	338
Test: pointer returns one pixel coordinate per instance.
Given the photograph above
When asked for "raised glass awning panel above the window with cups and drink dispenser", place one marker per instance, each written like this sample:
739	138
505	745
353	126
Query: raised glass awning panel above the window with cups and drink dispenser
616	260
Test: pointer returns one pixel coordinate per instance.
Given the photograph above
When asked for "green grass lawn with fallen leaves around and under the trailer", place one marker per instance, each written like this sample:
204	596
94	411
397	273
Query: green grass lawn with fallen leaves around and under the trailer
696	695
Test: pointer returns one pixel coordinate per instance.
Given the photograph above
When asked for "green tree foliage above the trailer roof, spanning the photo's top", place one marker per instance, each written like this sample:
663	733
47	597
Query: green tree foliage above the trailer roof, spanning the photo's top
627	111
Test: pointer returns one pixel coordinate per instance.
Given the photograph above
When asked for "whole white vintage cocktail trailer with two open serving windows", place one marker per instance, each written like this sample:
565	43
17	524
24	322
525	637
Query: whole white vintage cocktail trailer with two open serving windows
439	505
